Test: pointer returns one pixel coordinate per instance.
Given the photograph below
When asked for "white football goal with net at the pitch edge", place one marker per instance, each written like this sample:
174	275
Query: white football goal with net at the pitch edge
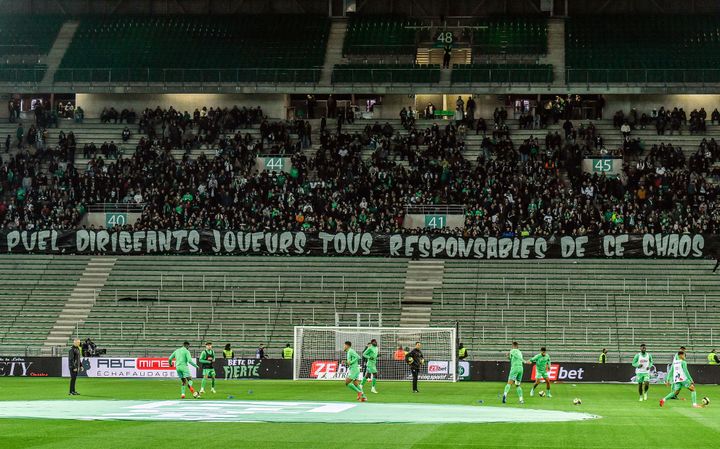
319	351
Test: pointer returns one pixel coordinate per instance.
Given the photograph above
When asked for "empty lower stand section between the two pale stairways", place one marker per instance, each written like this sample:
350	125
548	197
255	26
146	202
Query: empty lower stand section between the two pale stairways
150	303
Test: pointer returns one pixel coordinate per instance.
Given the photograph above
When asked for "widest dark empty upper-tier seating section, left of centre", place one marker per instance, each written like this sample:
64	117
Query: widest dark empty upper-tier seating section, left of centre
174	49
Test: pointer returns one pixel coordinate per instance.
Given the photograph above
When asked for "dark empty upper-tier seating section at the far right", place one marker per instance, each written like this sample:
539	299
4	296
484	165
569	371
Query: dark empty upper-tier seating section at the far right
629	49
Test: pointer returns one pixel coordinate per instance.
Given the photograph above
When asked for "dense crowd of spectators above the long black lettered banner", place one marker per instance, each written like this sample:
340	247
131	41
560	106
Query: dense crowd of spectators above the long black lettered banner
508	190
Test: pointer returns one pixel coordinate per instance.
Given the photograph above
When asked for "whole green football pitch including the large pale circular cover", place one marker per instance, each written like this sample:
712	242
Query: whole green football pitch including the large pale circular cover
146	413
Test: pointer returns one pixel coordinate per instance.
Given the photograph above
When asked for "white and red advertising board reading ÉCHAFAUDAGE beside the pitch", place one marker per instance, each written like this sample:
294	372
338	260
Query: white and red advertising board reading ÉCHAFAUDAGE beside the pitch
141	367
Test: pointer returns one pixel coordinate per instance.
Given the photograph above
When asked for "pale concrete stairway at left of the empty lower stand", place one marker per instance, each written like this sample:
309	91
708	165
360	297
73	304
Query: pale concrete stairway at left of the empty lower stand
81	300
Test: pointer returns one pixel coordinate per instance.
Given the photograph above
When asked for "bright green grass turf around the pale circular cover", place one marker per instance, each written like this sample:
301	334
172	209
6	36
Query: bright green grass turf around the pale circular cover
625	422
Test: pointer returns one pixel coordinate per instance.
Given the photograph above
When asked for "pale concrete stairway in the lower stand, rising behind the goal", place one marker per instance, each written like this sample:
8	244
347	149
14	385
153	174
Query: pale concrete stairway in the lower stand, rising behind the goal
422	277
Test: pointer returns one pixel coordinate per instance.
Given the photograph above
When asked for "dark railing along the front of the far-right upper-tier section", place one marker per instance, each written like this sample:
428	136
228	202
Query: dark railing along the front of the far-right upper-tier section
642	76
